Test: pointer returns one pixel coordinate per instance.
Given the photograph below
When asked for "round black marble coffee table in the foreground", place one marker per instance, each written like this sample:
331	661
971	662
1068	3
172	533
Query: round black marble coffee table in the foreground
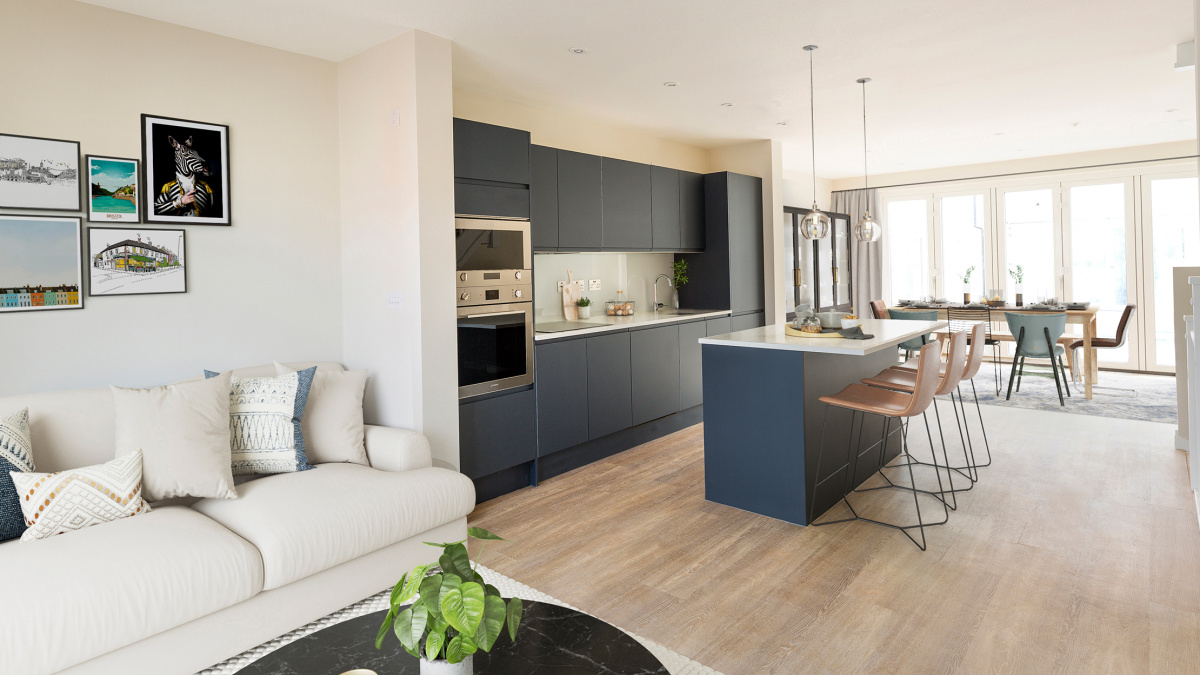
553	640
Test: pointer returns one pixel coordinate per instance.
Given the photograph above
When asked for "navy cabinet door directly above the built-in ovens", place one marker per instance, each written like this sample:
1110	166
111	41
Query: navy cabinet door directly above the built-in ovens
485	152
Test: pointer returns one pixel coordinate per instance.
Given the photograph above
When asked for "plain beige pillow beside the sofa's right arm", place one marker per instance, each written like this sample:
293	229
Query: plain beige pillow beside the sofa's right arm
333	422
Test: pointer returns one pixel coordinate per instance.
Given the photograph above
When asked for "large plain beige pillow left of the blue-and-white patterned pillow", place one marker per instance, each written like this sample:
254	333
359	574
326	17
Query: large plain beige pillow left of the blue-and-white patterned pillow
183	432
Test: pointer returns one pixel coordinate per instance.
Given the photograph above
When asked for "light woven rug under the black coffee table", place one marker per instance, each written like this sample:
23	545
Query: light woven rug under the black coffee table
676	664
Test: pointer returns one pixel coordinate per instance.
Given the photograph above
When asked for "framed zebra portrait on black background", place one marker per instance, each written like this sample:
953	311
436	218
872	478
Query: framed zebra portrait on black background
185	172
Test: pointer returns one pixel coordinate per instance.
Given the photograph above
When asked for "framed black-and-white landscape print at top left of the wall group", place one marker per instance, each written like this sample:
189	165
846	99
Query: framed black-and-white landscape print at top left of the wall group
39	174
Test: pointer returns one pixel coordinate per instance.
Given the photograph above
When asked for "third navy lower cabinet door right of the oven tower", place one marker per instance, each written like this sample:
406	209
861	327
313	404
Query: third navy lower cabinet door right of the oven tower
655	357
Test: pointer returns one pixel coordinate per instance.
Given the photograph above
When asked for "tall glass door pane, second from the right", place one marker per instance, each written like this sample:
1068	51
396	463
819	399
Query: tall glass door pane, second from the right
1099	271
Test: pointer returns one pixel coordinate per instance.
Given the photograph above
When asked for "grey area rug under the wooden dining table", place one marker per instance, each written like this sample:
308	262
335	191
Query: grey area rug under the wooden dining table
1126	396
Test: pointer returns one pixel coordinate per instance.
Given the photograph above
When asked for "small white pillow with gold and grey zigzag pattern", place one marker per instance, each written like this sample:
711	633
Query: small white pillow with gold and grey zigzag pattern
81	498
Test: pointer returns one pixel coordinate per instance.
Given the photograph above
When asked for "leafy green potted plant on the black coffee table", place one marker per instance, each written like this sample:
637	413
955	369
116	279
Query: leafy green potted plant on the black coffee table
457	612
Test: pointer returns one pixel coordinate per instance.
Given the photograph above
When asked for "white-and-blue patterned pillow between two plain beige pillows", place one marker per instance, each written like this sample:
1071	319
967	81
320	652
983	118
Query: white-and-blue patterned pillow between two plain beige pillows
266	414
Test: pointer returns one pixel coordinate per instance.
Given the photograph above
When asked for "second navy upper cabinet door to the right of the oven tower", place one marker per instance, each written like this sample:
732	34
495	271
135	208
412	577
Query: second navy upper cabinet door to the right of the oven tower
580	202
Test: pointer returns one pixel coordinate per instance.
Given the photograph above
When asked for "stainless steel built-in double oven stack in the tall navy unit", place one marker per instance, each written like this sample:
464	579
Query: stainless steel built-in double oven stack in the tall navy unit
495	298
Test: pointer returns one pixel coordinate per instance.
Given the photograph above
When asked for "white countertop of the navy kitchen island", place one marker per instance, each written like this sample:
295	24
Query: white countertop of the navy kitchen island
889	333
